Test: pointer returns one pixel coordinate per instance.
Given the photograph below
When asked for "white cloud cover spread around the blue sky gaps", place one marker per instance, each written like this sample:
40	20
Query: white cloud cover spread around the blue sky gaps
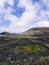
33	12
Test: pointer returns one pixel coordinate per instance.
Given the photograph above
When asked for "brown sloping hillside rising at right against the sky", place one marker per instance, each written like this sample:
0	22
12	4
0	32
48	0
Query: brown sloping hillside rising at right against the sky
33	31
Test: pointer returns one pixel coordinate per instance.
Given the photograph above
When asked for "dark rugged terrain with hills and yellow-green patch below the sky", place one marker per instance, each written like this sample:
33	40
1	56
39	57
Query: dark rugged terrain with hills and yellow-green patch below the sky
28	48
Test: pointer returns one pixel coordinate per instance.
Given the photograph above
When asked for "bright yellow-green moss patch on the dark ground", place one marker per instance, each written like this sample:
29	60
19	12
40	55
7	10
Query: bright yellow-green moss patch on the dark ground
27	48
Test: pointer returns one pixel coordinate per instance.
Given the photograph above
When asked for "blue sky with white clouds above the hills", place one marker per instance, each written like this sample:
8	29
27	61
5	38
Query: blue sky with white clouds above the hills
17	16
